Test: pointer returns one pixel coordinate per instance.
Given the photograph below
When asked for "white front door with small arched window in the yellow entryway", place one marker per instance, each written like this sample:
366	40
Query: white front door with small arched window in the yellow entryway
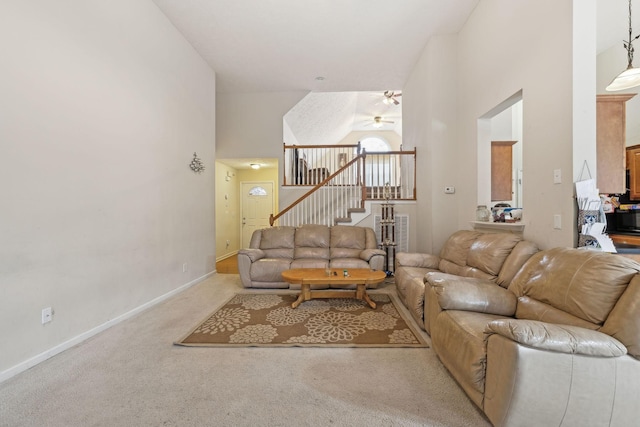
257	205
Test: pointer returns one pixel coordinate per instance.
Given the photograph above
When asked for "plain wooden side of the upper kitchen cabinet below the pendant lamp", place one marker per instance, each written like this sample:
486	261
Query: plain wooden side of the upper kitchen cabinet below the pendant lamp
611	141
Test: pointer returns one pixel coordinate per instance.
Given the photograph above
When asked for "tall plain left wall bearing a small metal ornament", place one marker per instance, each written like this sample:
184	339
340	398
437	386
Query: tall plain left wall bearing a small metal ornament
103	105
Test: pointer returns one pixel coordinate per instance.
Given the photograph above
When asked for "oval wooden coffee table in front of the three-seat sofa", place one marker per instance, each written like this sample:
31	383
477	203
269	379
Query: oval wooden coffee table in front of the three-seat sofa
305	277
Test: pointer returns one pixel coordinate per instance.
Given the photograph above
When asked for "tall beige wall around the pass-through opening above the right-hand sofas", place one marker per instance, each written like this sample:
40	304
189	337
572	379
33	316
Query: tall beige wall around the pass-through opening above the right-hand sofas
502	51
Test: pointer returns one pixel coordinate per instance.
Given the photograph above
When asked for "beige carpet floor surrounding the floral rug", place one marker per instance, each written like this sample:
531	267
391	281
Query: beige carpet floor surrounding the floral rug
133	375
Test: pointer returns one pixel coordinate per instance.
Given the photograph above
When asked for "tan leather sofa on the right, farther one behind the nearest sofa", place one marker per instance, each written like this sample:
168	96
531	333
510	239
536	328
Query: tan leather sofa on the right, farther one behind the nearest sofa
491	256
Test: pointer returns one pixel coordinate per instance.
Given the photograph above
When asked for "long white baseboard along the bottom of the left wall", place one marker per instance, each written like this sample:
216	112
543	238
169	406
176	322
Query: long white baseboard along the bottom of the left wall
29	363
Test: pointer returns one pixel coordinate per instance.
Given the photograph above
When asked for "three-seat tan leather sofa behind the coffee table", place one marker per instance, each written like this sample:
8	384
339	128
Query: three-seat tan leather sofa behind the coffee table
274	250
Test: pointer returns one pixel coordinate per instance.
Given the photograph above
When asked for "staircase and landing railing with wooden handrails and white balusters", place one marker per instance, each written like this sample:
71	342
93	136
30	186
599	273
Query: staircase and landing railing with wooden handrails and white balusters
345	196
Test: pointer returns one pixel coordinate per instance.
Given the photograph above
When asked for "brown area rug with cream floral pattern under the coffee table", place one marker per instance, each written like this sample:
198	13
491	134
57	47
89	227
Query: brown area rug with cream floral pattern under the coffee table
260	319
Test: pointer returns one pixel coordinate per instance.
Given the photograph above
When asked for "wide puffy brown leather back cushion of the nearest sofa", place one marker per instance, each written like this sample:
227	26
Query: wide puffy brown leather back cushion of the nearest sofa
584	283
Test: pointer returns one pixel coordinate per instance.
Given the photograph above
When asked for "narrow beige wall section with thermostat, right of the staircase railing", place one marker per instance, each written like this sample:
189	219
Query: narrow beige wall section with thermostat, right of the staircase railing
429	124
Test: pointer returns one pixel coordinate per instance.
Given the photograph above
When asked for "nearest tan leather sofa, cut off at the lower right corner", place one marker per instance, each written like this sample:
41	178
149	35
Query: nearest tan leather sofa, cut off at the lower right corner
559	347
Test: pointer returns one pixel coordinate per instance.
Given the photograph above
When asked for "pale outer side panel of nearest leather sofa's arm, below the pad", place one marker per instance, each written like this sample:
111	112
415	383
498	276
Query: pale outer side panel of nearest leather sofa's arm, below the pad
525	386
